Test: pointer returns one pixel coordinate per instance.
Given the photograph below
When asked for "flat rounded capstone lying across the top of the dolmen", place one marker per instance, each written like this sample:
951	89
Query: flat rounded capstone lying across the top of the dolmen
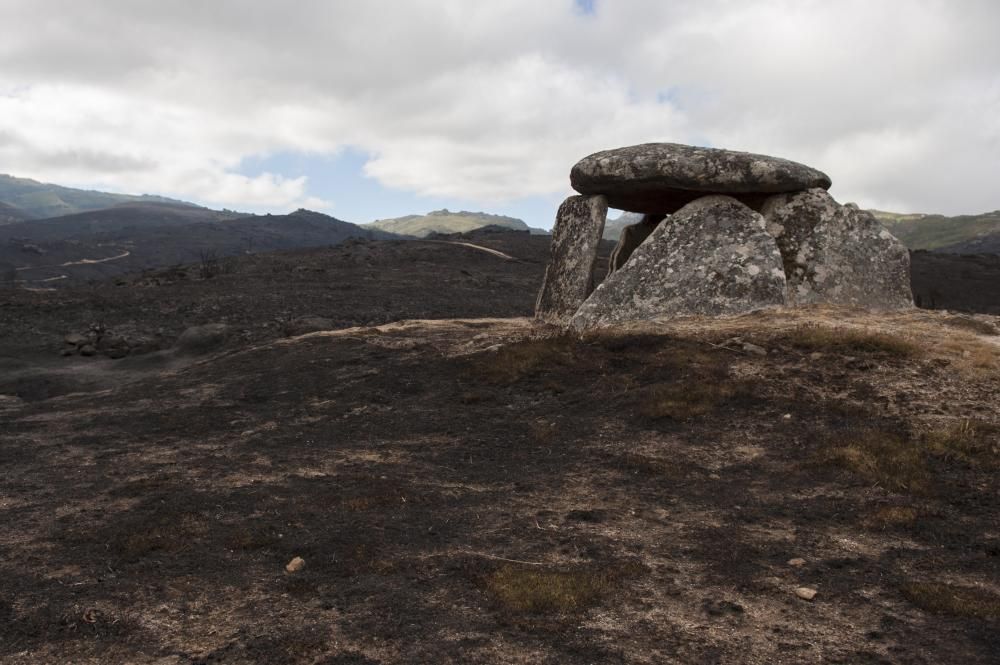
660	178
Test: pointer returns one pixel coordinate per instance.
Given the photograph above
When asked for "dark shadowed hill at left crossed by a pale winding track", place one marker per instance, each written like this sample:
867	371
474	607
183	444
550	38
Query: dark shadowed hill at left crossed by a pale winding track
139	236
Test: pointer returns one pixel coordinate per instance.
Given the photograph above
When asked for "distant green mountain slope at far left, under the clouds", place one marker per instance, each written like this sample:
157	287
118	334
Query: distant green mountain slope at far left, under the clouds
41	200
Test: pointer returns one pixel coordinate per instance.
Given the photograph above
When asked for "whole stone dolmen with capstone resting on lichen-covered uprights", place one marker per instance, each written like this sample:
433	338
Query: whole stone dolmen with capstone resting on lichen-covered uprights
722	232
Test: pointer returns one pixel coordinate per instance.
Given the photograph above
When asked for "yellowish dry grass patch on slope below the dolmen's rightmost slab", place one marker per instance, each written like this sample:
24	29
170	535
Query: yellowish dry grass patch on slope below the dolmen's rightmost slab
885	458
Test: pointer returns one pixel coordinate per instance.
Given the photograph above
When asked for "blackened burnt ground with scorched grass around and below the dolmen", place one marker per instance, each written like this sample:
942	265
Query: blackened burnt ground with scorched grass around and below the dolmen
485	490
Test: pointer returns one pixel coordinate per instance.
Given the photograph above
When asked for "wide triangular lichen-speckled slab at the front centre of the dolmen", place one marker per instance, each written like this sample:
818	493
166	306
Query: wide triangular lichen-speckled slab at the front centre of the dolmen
712	257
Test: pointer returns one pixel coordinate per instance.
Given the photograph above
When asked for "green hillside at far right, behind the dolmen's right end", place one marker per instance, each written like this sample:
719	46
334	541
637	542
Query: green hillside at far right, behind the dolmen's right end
939	232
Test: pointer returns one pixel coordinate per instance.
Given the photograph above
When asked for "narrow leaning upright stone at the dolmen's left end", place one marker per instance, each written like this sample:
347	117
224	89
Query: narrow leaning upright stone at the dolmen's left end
573	252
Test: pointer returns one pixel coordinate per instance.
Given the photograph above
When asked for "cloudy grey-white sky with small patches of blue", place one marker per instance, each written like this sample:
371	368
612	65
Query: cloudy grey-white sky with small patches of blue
379	108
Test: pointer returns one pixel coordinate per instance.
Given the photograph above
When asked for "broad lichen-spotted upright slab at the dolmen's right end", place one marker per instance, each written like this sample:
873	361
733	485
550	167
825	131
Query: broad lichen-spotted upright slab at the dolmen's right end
837	254
